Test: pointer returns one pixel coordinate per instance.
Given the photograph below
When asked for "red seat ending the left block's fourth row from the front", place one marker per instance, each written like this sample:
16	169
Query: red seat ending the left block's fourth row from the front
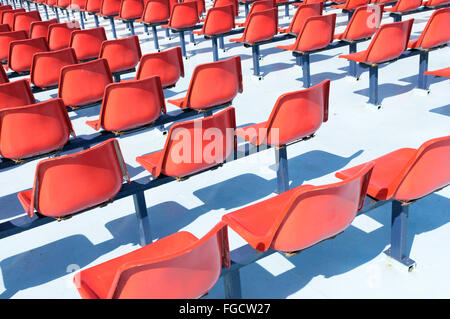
168	65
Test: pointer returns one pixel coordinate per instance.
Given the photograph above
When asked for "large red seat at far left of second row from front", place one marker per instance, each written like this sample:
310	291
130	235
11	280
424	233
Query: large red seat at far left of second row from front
71	183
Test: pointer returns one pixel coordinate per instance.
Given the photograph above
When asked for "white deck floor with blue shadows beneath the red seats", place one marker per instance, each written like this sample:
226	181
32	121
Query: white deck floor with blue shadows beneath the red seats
38	263
